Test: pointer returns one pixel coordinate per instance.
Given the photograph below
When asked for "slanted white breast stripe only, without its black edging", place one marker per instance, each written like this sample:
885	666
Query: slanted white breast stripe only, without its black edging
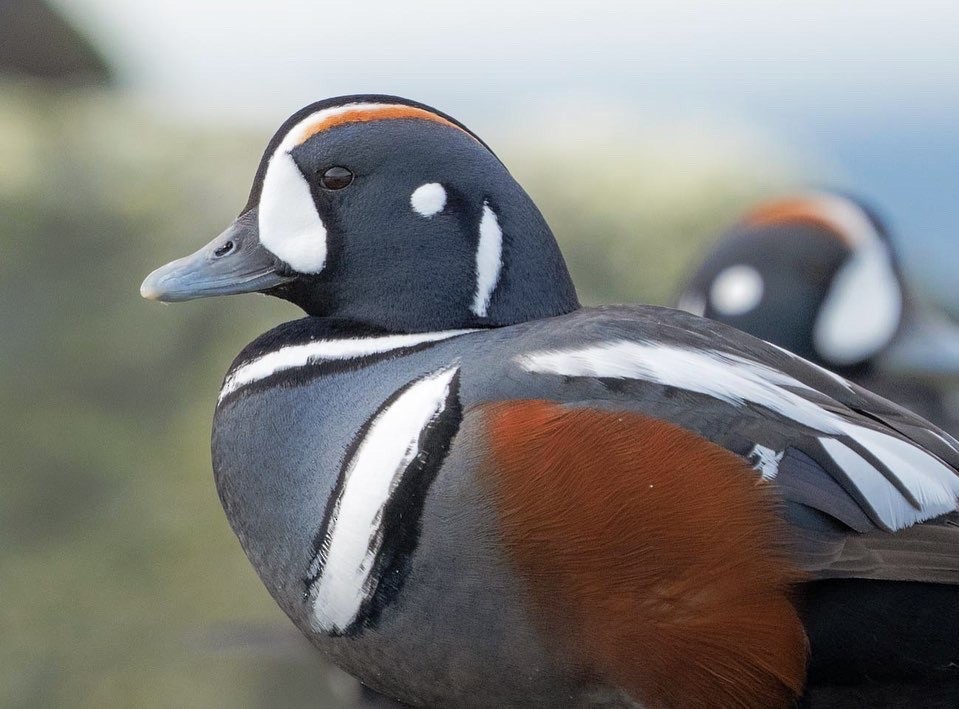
354	536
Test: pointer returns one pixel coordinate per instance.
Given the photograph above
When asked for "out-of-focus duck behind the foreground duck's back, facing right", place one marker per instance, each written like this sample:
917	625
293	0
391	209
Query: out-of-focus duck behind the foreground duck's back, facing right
817	273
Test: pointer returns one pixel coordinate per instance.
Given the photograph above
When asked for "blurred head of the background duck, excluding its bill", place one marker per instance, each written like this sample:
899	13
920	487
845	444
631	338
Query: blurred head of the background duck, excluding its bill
814	273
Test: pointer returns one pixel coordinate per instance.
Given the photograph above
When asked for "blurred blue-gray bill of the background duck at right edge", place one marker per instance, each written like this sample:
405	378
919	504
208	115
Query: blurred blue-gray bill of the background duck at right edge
927	346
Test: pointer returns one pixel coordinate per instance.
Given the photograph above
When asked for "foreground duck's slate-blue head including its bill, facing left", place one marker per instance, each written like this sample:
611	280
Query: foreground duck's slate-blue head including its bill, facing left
387	213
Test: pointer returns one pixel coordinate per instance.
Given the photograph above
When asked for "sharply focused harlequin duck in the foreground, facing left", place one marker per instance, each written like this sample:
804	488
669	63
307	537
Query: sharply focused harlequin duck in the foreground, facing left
467	490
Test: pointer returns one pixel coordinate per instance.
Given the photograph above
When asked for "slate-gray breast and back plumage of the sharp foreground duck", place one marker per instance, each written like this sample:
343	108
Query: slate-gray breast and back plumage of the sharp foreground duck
458	633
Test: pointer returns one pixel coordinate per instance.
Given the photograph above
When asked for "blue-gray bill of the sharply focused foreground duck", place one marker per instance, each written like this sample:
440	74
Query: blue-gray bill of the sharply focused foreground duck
234	262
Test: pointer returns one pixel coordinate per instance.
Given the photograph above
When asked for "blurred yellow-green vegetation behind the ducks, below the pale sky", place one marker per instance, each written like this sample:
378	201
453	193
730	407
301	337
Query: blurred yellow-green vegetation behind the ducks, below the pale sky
121	583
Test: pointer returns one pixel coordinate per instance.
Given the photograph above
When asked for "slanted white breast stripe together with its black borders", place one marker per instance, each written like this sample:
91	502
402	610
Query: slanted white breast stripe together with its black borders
371	523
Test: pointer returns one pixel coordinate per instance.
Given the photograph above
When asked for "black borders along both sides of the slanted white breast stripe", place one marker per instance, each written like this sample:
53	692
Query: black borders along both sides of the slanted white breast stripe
400	523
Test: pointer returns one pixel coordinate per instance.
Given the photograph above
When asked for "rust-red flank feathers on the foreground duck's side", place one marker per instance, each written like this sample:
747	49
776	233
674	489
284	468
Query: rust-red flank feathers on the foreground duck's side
652	557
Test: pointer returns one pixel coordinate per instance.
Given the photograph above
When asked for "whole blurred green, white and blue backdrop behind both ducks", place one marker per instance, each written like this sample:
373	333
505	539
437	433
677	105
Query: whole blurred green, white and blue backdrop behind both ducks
129	134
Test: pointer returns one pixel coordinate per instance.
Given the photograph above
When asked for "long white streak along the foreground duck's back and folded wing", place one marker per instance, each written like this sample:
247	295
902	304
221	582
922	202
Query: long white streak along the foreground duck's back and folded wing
737	380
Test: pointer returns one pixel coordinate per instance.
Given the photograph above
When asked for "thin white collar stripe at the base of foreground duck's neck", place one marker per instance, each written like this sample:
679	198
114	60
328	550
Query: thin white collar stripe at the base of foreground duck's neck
293	356
